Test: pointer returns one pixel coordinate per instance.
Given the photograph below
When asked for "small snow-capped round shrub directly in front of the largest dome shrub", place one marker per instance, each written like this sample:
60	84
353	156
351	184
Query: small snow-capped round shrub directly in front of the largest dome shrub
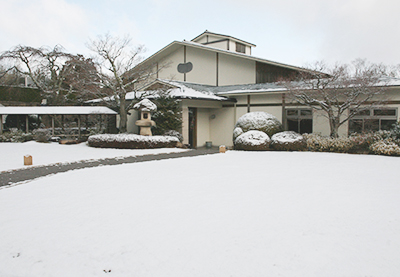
252	140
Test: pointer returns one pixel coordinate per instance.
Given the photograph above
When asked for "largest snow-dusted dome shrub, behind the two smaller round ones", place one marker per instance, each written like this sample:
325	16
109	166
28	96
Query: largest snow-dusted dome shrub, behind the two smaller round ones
260	121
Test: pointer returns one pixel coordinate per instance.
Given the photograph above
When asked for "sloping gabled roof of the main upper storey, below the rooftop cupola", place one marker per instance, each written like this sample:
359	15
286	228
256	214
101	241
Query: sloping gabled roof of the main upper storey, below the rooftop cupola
175	45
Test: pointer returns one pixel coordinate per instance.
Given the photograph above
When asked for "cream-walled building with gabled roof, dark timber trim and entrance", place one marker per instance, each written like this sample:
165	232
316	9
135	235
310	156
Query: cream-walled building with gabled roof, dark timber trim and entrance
219	80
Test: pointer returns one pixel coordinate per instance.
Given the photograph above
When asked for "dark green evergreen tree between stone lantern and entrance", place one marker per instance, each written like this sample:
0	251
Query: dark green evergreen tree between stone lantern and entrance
168	115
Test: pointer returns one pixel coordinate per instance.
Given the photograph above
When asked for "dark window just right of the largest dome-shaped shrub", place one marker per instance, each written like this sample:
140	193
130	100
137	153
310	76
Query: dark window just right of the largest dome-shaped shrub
299	120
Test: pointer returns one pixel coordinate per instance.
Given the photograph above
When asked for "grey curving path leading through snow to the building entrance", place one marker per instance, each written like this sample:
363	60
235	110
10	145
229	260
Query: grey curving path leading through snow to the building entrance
20	175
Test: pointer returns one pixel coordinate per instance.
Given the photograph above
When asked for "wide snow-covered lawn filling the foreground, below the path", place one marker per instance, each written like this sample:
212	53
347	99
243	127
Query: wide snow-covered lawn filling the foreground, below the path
233	214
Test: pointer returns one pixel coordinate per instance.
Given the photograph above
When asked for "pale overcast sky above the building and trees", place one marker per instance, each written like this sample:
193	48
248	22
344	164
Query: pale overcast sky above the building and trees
288	31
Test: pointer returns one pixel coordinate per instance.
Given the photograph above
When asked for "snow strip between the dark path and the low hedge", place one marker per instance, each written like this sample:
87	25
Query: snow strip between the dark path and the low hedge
12	154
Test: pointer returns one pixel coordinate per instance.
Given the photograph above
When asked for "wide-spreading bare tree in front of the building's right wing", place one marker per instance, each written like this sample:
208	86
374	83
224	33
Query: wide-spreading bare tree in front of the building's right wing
341	91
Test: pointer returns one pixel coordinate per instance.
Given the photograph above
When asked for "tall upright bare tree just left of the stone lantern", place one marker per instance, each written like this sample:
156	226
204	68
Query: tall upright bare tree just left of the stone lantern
119	71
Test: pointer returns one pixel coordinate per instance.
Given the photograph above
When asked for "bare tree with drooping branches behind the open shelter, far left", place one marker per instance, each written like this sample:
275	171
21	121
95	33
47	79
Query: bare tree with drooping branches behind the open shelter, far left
45	67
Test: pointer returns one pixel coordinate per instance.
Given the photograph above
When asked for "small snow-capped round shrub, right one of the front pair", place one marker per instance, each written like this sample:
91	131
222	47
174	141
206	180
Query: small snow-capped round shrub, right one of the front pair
288	141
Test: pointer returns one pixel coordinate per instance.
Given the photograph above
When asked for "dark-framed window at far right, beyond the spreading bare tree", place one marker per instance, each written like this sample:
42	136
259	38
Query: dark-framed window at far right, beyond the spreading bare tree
373	120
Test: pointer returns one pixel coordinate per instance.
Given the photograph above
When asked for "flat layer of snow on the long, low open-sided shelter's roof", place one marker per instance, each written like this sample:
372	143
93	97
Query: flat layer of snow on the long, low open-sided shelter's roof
56	110
